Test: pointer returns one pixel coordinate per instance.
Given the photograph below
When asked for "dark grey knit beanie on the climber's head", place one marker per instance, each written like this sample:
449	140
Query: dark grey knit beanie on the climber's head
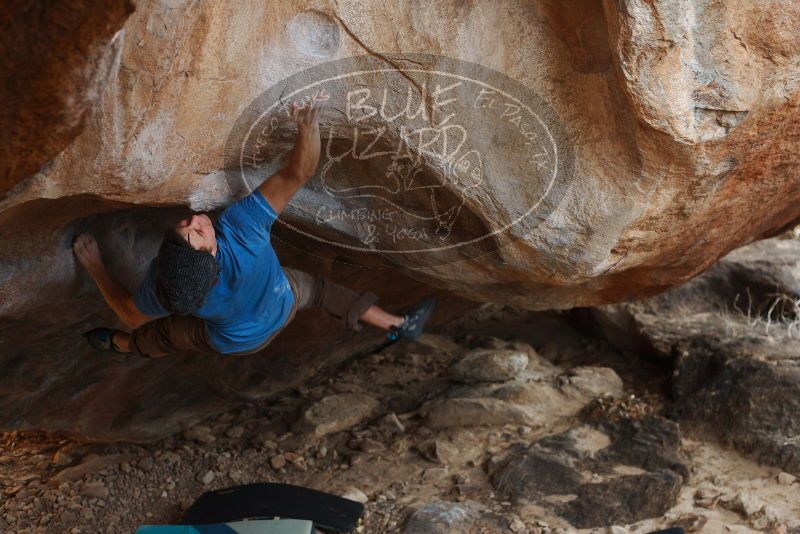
184	277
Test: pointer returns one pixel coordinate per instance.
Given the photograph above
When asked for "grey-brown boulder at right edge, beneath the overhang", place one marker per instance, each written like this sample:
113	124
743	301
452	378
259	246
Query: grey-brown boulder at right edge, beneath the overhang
733	335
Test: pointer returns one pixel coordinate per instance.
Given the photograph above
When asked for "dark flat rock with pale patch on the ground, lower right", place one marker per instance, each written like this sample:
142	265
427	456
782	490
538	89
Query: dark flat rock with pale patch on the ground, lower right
635	470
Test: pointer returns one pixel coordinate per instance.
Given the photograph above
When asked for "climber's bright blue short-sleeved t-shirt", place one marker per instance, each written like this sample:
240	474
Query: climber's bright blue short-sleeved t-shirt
252	298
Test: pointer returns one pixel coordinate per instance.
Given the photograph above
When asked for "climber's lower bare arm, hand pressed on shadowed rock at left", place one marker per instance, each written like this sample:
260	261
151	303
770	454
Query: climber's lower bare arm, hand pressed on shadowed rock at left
117	297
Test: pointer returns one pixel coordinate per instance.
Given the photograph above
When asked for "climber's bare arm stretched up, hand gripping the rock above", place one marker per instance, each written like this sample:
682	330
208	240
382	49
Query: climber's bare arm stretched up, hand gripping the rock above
279	188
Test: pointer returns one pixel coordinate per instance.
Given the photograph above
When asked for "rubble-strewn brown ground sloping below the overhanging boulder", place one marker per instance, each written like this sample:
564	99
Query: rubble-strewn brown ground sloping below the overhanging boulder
569	436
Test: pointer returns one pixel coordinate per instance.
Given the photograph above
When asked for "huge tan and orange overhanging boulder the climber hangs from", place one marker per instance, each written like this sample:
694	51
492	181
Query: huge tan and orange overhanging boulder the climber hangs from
578	153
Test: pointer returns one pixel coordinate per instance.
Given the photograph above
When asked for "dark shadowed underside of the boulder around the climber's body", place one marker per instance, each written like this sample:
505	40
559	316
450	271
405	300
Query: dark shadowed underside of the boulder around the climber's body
51	379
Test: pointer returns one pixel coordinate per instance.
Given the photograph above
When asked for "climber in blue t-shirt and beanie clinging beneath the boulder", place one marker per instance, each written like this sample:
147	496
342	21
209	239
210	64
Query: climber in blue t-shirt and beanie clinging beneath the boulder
218	286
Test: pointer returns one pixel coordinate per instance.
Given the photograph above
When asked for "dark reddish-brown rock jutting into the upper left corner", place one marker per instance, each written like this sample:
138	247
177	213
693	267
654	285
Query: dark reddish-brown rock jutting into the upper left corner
57	58
